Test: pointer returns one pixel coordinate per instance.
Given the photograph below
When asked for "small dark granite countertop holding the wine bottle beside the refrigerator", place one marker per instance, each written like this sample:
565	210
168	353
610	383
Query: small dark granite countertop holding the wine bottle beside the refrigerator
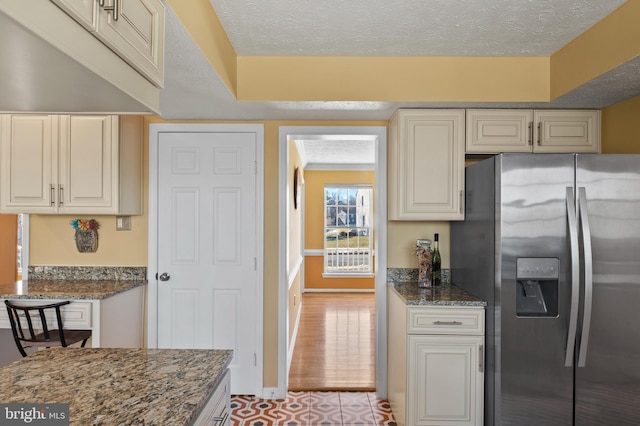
442	295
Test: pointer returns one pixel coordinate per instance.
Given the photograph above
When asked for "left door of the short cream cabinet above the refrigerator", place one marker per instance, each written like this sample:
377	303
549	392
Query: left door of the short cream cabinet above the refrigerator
495	131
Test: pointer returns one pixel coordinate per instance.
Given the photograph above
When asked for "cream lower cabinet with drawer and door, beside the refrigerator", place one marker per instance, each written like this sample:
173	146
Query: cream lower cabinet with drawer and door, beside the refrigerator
435	364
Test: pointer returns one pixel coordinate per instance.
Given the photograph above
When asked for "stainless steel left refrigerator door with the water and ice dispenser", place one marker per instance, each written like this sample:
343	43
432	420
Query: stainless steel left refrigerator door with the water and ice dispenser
533	290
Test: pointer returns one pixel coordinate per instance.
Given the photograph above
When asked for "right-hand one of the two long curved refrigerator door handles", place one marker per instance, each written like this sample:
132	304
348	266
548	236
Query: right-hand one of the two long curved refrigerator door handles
588	275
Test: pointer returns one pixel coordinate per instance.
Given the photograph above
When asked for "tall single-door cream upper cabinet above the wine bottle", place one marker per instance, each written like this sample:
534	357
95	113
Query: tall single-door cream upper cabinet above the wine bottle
426	165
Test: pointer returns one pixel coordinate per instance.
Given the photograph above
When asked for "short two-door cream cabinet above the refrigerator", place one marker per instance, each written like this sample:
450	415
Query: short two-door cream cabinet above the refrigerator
513	130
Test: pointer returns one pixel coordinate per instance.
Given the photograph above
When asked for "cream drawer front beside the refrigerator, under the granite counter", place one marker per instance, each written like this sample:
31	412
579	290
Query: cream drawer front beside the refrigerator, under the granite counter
435	320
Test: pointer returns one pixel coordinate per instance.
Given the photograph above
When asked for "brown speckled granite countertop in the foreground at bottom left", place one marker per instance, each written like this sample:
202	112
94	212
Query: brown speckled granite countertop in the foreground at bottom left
118	386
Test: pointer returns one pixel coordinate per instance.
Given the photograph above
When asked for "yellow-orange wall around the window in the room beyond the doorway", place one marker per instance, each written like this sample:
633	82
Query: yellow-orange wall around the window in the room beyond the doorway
315	180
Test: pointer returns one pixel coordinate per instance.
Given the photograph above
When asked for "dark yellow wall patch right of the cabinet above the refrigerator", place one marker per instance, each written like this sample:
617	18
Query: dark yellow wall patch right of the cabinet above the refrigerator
621	128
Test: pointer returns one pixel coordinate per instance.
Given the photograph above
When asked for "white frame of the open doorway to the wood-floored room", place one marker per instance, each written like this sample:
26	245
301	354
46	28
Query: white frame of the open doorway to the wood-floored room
379	134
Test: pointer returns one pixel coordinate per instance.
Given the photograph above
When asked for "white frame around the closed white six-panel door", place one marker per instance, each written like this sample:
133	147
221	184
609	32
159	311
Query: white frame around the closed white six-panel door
152	269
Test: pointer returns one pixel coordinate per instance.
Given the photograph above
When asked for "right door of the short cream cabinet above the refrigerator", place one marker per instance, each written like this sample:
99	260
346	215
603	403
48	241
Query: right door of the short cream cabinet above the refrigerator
567	131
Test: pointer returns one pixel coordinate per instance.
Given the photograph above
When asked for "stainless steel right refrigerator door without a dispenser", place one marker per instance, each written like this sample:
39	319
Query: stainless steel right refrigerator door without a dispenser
608	386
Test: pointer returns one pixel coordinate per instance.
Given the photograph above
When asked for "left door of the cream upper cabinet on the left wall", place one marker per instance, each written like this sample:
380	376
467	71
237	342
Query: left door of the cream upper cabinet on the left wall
28	168
